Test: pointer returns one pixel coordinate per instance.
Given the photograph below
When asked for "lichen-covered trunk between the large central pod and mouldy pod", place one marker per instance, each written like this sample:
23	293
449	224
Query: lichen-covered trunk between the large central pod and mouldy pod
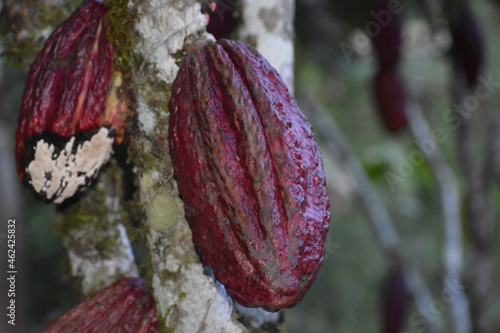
188	299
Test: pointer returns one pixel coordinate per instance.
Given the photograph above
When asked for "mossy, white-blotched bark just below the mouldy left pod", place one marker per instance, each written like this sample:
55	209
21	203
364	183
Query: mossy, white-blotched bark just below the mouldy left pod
93	230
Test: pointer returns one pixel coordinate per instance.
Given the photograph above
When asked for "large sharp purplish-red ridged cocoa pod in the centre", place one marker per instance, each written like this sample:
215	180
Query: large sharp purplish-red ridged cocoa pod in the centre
250	174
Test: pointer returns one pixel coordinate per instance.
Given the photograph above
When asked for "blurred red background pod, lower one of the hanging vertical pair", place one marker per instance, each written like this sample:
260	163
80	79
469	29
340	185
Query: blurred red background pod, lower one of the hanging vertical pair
390	99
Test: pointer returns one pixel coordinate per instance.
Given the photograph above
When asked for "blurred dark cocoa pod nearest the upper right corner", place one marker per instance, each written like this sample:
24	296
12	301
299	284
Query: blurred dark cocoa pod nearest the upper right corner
467	49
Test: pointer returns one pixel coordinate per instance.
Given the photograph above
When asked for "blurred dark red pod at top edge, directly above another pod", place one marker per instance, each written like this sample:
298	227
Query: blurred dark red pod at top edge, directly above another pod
386	30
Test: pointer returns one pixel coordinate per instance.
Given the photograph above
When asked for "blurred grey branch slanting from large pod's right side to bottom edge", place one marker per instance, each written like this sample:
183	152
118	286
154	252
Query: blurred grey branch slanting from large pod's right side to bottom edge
388	237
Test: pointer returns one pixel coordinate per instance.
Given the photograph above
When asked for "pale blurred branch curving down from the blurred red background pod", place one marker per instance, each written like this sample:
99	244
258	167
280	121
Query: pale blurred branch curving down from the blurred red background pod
450	204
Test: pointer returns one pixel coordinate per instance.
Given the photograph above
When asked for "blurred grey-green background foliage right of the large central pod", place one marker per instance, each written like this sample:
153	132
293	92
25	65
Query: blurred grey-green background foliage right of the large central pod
351	289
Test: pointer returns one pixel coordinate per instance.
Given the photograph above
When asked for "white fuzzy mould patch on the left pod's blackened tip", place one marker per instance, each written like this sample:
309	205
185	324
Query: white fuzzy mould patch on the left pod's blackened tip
59	176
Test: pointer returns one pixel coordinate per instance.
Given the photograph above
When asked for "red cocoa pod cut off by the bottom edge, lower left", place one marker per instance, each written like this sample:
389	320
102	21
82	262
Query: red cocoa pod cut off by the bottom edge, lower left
125	306
